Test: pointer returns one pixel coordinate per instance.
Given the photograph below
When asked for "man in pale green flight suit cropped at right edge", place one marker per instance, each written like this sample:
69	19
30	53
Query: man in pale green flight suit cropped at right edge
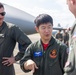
70	67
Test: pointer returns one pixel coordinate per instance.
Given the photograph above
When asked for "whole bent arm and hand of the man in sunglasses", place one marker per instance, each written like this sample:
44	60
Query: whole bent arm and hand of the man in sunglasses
17	36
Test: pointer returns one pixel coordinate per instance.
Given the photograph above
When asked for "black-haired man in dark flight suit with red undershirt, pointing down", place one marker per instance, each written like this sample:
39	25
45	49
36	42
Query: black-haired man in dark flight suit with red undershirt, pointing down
46	56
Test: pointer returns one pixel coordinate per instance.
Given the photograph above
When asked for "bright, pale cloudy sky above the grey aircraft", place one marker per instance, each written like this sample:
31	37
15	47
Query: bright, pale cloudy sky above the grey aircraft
58	9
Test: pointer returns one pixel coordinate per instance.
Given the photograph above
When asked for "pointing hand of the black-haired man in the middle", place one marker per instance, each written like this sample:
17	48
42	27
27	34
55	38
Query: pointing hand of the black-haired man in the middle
30	65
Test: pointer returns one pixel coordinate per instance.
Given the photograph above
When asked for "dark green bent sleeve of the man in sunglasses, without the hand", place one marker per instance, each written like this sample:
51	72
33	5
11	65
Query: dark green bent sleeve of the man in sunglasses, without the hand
22	39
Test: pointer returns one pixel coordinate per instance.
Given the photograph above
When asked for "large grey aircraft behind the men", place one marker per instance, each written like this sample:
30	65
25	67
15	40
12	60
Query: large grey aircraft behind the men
22	19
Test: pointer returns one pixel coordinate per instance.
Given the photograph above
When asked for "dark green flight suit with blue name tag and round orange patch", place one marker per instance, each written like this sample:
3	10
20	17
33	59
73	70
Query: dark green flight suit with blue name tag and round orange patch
50	61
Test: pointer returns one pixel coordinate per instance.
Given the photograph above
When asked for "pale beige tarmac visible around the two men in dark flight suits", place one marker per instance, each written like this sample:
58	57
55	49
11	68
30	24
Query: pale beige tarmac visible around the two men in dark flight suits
18	71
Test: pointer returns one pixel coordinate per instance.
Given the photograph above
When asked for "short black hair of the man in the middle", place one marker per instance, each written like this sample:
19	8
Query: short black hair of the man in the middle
43	18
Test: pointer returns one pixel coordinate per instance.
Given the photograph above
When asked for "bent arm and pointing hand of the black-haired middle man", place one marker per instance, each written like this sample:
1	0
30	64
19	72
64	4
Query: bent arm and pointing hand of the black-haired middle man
26	63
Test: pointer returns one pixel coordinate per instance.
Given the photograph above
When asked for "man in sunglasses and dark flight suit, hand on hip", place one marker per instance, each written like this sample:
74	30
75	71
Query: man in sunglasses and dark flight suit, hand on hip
9	35
